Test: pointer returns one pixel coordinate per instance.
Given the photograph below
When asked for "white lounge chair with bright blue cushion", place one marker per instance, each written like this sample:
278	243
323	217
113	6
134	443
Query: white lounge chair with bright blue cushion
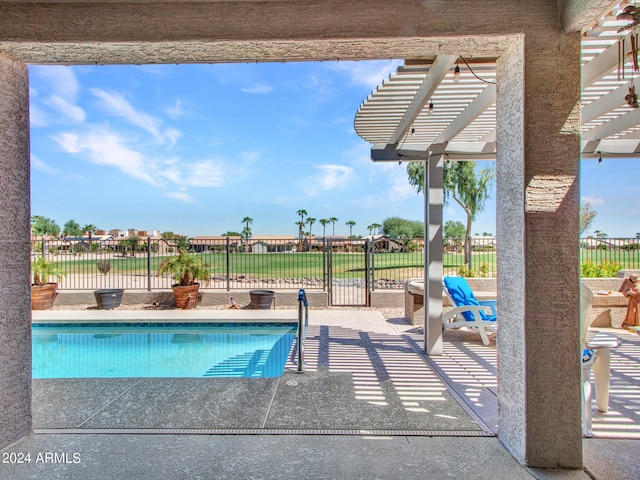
468	311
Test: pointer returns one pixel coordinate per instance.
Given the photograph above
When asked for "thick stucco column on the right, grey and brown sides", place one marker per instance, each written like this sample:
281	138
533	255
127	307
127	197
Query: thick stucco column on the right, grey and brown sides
537	164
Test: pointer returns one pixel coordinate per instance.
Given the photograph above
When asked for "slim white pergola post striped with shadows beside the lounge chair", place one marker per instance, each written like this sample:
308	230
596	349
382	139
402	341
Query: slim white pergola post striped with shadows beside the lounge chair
433	194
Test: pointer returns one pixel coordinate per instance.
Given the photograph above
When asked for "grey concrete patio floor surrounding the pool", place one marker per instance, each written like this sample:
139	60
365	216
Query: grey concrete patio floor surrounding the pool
369	405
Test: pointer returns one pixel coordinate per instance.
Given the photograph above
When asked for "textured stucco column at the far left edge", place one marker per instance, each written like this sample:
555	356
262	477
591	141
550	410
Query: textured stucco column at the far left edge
15	290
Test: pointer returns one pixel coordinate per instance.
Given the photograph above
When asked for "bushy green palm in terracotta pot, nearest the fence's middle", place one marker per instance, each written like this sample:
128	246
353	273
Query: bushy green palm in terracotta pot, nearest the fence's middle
186	269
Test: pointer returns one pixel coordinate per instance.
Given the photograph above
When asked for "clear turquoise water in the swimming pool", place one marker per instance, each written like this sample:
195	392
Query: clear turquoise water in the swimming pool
160	350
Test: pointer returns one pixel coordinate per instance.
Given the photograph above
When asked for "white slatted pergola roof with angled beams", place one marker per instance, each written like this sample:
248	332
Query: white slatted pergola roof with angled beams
425	106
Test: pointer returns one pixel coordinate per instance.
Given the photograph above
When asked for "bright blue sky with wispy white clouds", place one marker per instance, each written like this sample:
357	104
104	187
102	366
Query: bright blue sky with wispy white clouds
194	149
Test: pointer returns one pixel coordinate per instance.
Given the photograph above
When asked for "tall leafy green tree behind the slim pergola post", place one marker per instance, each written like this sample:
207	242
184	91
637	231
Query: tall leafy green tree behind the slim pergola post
470	189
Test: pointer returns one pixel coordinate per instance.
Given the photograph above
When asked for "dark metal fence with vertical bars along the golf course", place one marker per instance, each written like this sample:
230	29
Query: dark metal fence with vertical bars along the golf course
378	263
